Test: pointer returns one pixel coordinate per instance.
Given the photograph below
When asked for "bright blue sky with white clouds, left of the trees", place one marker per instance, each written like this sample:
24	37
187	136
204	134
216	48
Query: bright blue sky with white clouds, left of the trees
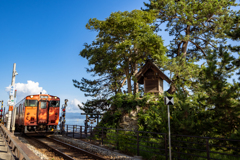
44	39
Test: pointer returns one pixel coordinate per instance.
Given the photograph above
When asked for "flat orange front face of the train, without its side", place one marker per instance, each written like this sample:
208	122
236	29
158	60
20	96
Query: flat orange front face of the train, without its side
45	116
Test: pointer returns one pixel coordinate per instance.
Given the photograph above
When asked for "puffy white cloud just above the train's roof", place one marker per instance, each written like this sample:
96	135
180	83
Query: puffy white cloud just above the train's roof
25	89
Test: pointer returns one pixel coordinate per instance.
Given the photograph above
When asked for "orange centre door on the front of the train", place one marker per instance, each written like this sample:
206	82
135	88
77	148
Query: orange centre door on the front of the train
43	112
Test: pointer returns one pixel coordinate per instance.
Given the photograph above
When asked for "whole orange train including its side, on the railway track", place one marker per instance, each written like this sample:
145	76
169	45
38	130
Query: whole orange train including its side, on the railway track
37	113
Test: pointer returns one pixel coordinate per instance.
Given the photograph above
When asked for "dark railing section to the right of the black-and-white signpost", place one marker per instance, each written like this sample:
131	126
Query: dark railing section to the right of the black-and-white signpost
185	146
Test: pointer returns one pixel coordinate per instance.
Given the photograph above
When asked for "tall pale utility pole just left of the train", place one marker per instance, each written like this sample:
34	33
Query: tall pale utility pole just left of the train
11	97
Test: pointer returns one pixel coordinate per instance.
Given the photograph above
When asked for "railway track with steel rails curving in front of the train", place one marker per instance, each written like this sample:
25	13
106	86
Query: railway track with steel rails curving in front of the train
66	151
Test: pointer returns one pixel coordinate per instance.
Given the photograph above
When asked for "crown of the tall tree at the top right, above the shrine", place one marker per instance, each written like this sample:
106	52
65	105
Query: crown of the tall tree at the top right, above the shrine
194	23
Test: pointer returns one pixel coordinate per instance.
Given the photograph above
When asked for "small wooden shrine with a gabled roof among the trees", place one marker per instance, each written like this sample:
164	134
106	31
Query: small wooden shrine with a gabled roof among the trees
152	78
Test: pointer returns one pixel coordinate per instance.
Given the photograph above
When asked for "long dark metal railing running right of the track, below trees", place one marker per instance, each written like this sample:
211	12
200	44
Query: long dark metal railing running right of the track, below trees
152	145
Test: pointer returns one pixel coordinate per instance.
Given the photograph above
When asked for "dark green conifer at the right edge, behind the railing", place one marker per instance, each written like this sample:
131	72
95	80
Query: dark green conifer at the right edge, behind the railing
219	96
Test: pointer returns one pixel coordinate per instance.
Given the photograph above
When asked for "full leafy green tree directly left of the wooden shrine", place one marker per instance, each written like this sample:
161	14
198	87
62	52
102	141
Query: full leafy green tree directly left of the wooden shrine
124	40
